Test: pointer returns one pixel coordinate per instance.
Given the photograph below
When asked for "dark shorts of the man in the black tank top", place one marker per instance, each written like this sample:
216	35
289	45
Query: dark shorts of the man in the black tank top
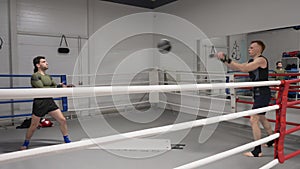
262	98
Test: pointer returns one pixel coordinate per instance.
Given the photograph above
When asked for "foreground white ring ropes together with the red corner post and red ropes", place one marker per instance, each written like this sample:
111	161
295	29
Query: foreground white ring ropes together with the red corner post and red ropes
280	130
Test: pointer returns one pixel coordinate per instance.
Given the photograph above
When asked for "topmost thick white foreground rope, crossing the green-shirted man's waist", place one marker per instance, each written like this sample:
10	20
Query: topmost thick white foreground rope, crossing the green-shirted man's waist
113	90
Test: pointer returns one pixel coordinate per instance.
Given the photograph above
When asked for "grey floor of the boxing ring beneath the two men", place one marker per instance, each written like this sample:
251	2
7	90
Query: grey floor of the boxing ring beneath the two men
226	136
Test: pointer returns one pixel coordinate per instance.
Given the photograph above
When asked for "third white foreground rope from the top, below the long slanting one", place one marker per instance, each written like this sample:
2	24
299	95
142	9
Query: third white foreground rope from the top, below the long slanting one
228	153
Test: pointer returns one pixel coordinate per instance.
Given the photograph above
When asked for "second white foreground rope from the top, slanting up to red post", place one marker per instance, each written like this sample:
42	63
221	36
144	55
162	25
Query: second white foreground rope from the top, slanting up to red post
7	157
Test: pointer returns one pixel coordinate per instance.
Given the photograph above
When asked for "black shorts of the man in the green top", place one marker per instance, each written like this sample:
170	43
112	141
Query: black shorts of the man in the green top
42	106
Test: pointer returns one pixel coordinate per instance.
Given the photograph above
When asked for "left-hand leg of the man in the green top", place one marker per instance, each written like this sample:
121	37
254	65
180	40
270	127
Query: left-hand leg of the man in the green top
35	121
